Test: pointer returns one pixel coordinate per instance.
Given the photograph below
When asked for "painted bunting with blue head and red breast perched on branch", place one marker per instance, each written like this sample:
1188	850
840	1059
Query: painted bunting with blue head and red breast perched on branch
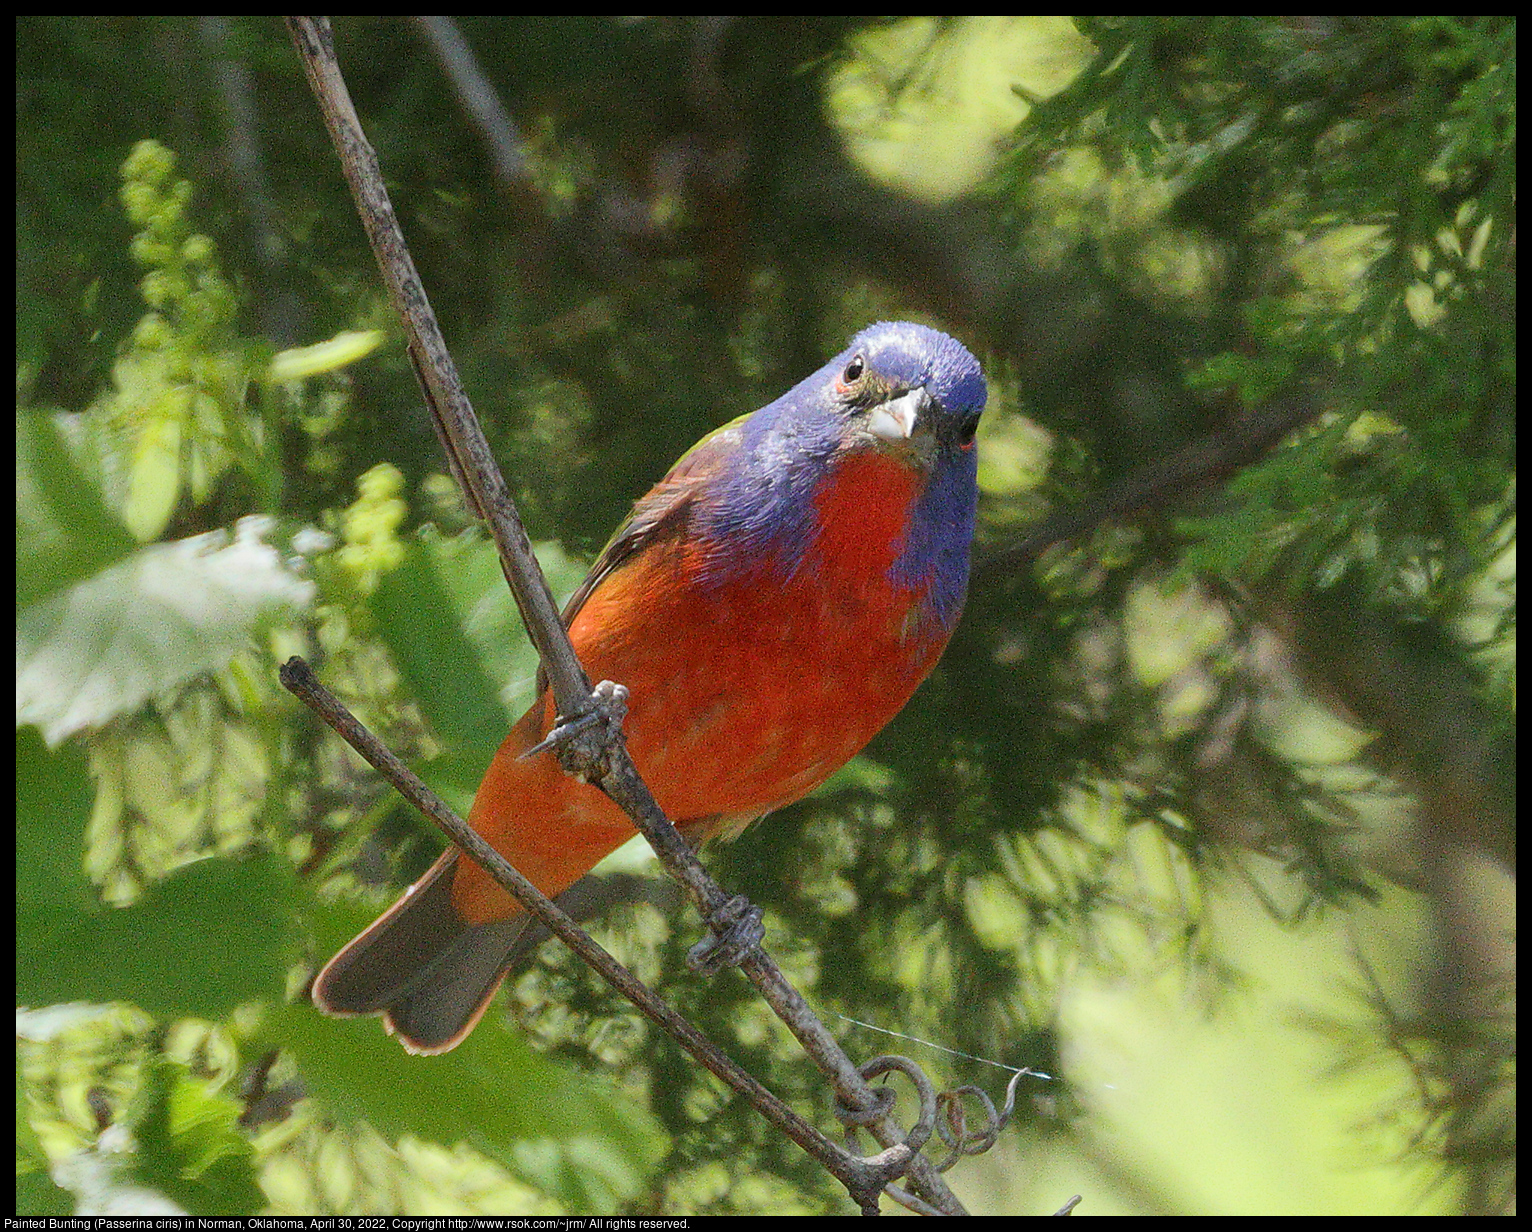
770	606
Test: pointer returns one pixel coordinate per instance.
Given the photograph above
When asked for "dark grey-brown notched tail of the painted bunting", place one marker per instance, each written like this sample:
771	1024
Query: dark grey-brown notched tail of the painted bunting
422	966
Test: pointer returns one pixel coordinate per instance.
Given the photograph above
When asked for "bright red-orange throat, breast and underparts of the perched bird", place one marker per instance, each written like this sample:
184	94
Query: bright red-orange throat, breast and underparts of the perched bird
745	692
